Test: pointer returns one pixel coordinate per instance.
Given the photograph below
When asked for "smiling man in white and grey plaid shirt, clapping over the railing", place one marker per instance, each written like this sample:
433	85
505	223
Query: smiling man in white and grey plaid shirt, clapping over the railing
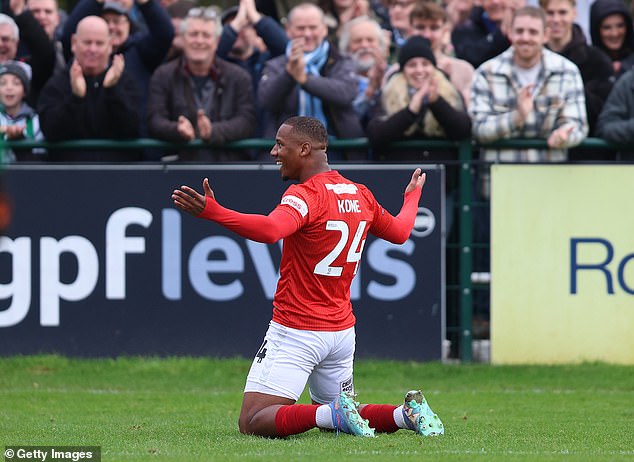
528	92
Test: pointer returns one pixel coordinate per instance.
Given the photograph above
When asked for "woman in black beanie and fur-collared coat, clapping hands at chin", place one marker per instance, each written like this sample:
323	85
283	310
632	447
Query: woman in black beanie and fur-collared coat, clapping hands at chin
417	102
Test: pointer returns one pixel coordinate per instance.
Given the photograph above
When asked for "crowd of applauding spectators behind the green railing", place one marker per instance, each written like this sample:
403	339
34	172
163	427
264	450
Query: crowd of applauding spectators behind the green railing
387	70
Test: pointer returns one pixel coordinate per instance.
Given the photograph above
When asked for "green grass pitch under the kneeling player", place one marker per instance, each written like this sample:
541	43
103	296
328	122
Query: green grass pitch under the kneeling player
186	409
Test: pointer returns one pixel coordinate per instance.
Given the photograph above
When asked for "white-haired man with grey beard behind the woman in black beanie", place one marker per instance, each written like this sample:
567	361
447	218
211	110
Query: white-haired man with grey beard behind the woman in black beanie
363	39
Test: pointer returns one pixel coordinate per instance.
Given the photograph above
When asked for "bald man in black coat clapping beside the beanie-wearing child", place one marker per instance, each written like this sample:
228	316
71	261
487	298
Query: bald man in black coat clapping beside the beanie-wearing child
96	98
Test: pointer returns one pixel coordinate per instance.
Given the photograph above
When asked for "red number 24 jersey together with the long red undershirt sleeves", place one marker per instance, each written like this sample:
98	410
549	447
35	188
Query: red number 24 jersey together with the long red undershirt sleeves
324	223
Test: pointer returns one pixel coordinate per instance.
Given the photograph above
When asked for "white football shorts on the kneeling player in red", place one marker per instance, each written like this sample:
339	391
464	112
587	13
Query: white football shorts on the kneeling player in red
289	358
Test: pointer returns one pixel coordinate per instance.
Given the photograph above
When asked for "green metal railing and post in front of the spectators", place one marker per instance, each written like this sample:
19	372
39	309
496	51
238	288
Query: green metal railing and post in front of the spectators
465	161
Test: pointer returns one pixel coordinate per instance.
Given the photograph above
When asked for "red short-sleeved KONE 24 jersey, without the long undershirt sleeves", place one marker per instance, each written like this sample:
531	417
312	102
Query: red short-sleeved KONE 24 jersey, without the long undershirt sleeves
320	260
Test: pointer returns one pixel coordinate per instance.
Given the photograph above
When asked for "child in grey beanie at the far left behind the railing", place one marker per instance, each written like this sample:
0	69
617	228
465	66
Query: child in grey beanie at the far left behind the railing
18	120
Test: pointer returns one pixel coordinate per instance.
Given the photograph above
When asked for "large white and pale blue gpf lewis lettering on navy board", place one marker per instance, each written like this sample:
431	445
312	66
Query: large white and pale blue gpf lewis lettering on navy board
384	258
